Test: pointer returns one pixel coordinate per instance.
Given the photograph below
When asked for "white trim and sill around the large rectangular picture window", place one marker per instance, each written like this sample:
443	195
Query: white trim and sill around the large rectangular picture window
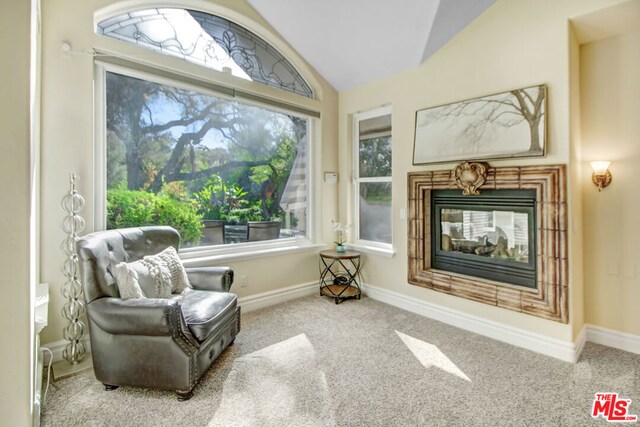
203	255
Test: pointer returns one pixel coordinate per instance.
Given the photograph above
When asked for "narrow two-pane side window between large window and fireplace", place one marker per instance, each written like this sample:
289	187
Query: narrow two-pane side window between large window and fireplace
373	176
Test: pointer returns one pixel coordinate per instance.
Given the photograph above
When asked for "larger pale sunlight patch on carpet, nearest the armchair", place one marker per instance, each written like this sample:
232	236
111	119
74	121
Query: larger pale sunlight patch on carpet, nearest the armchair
280	385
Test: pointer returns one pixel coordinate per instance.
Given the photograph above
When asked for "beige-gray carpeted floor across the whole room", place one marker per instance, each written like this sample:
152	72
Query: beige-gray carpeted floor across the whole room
310	362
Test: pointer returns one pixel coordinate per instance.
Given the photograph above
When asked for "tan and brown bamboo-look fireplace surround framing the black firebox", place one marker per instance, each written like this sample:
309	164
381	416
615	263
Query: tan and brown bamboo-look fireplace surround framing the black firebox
549	300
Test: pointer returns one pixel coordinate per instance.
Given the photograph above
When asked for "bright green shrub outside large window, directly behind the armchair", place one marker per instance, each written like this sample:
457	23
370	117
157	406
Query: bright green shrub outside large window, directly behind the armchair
128	208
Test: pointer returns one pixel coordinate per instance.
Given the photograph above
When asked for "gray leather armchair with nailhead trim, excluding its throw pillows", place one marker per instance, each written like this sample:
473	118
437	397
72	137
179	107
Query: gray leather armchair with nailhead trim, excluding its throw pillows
158	343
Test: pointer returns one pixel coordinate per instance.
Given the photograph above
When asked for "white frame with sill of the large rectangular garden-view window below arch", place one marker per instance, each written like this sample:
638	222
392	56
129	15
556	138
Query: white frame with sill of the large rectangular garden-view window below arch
202	255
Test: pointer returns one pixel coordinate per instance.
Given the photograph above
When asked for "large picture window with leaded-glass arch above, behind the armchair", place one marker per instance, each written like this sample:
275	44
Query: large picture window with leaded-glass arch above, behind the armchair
221	163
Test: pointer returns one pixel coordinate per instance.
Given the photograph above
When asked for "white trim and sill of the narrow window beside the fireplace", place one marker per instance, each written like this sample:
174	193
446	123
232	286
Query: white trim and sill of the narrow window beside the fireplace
385	249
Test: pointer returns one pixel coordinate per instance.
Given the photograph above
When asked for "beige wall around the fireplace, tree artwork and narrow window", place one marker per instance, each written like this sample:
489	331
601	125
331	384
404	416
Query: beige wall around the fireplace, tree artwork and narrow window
514	44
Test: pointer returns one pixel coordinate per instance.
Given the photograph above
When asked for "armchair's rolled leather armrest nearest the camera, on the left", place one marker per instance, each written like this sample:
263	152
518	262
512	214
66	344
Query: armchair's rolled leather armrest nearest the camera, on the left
138	316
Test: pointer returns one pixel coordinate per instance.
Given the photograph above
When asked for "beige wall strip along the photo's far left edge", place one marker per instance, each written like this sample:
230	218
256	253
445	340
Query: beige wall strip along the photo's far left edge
15	173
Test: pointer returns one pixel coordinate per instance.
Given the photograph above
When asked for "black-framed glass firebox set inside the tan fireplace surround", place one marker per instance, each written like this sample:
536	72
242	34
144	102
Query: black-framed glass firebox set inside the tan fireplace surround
491	235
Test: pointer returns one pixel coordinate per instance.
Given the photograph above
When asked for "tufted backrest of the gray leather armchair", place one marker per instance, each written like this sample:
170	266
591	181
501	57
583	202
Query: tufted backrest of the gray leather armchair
98	255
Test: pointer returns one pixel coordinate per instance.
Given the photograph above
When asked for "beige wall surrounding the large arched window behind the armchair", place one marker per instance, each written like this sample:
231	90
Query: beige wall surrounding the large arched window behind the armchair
68	141
